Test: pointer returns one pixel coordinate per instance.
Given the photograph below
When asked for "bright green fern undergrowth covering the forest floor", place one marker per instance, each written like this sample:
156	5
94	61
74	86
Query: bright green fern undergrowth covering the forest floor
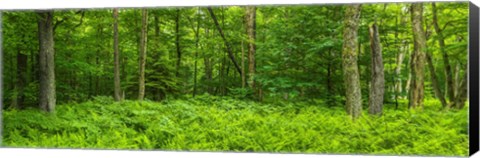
225	124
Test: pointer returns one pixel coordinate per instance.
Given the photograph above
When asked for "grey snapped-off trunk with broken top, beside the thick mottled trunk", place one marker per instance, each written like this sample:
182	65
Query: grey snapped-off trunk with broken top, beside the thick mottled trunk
377	88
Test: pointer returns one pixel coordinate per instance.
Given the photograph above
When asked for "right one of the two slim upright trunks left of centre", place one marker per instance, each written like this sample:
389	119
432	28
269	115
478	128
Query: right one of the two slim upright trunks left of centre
143	56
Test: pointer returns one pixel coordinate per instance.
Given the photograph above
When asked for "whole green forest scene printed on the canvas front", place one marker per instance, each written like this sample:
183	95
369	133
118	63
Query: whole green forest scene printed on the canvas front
382	78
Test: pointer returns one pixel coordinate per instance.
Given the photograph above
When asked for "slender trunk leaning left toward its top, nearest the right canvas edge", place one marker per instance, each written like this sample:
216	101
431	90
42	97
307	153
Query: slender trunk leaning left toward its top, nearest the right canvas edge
446	61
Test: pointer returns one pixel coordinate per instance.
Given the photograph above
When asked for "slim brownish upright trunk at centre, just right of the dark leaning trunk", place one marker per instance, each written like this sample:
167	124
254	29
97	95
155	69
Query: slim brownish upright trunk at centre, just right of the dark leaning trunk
251	31
